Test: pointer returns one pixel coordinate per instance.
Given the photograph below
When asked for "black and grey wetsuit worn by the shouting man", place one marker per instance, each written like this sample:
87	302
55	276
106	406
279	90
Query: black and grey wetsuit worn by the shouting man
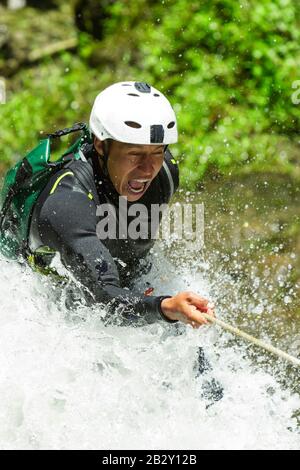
65	220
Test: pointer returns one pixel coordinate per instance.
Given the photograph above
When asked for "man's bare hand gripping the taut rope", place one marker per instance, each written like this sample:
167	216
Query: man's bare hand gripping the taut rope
187	307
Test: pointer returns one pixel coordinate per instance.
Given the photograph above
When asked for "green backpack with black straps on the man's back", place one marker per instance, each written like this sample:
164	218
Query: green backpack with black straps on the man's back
24	183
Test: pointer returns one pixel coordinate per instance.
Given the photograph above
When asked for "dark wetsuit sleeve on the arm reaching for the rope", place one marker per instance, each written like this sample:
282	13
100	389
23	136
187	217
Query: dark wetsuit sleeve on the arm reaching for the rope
67	222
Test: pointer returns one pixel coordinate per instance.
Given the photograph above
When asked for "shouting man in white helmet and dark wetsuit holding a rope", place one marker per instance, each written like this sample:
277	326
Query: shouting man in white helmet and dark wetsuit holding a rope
132	124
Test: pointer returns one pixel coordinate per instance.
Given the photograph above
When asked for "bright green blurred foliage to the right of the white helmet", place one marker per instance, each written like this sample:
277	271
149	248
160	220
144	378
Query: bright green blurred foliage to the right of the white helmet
229	67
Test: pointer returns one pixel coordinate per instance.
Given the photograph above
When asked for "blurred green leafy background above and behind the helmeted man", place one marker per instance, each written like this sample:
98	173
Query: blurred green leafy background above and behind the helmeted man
227	66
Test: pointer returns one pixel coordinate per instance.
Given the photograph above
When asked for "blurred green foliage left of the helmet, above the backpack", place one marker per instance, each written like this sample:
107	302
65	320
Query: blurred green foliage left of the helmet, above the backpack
56	100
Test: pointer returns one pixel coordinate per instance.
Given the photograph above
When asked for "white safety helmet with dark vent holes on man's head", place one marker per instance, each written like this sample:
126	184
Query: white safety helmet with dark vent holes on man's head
135	113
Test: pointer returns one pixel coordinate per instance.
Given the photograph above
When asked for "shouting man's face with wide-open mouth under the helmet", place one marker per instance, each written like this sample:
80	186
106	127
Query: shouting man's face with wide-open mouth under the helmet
132	167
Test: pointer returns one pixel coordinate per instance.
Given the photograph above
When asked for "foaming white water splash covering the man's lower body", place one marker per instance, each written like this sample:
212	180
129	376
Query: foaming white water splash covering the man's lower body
77	384
